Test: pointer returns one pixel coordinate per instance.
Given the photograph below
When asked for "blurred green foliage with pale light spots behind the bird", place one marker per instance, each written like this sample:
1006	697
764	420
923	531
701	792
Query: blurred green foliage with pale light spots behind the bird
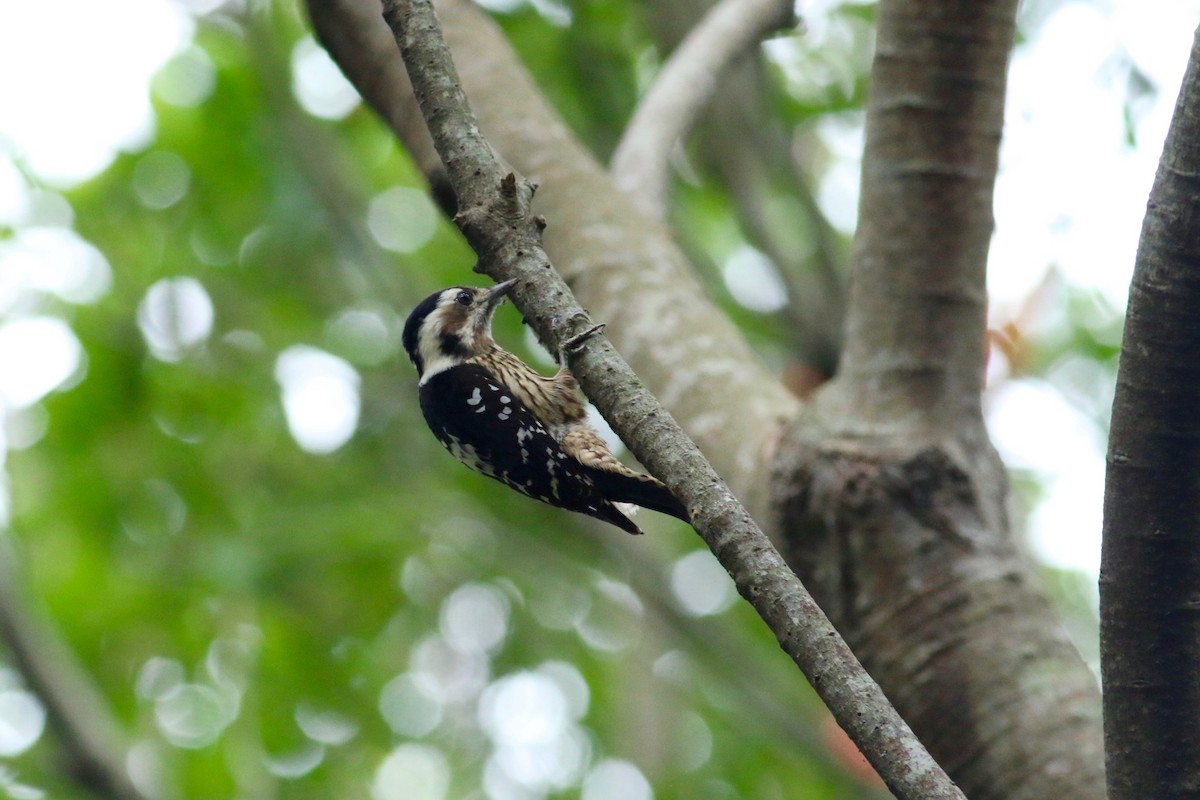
377	622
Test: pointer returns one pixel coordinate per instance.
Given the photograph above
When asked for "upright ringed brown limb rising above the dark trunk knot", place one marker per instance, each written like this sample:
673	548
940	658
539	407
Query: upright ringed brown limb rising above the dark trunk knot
915	334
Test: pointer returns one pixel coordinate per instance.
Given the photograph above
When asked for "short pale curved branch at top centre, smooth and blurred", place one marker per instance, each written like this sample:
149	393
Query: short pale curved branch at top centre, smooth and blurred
641	164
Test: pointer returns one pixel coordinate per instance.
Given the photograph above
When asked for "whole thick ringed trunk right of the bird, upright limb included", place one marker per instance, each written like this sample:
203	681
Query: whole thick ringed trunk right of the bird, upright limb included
892	498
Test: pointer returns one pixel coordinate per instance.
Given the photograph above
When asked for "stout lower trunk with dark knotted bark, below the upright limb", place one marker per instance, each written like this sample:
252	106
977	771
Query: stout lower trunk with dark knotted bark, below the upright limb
897	544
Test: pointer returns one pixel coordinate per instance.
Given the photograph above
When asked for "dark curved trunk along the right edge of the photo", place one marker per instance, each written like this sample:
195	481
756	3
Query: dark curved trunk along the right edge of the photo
1150	572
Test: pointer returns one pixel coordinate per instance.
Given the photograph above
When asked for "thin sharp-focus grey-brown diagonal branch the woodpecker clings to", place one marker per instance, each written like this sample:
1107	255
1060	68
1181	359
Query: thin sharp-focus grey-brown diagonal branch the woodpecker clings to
495	218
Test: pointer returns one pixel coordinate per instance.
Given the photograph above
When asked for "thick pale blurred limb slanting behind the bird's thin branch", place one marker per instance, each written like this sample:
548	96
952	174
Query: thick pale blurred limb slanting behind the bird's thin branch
625	268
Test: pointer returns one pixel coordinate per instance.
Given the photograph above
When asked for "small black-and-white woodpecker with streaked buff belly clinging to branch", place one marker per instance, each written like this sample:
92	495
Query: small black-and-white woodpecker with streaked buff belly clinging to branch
506	420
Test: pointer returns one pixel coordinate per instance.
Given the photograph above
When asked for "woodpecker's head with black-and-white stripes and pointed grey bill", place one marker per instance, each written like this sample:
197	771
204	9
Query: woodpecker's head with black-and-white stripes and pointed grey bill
452	326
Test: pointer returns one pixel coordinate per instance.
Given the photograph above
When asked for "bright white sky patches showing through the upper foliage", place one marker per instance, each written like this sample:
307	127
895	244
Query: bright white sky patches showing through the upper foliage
1070	200
